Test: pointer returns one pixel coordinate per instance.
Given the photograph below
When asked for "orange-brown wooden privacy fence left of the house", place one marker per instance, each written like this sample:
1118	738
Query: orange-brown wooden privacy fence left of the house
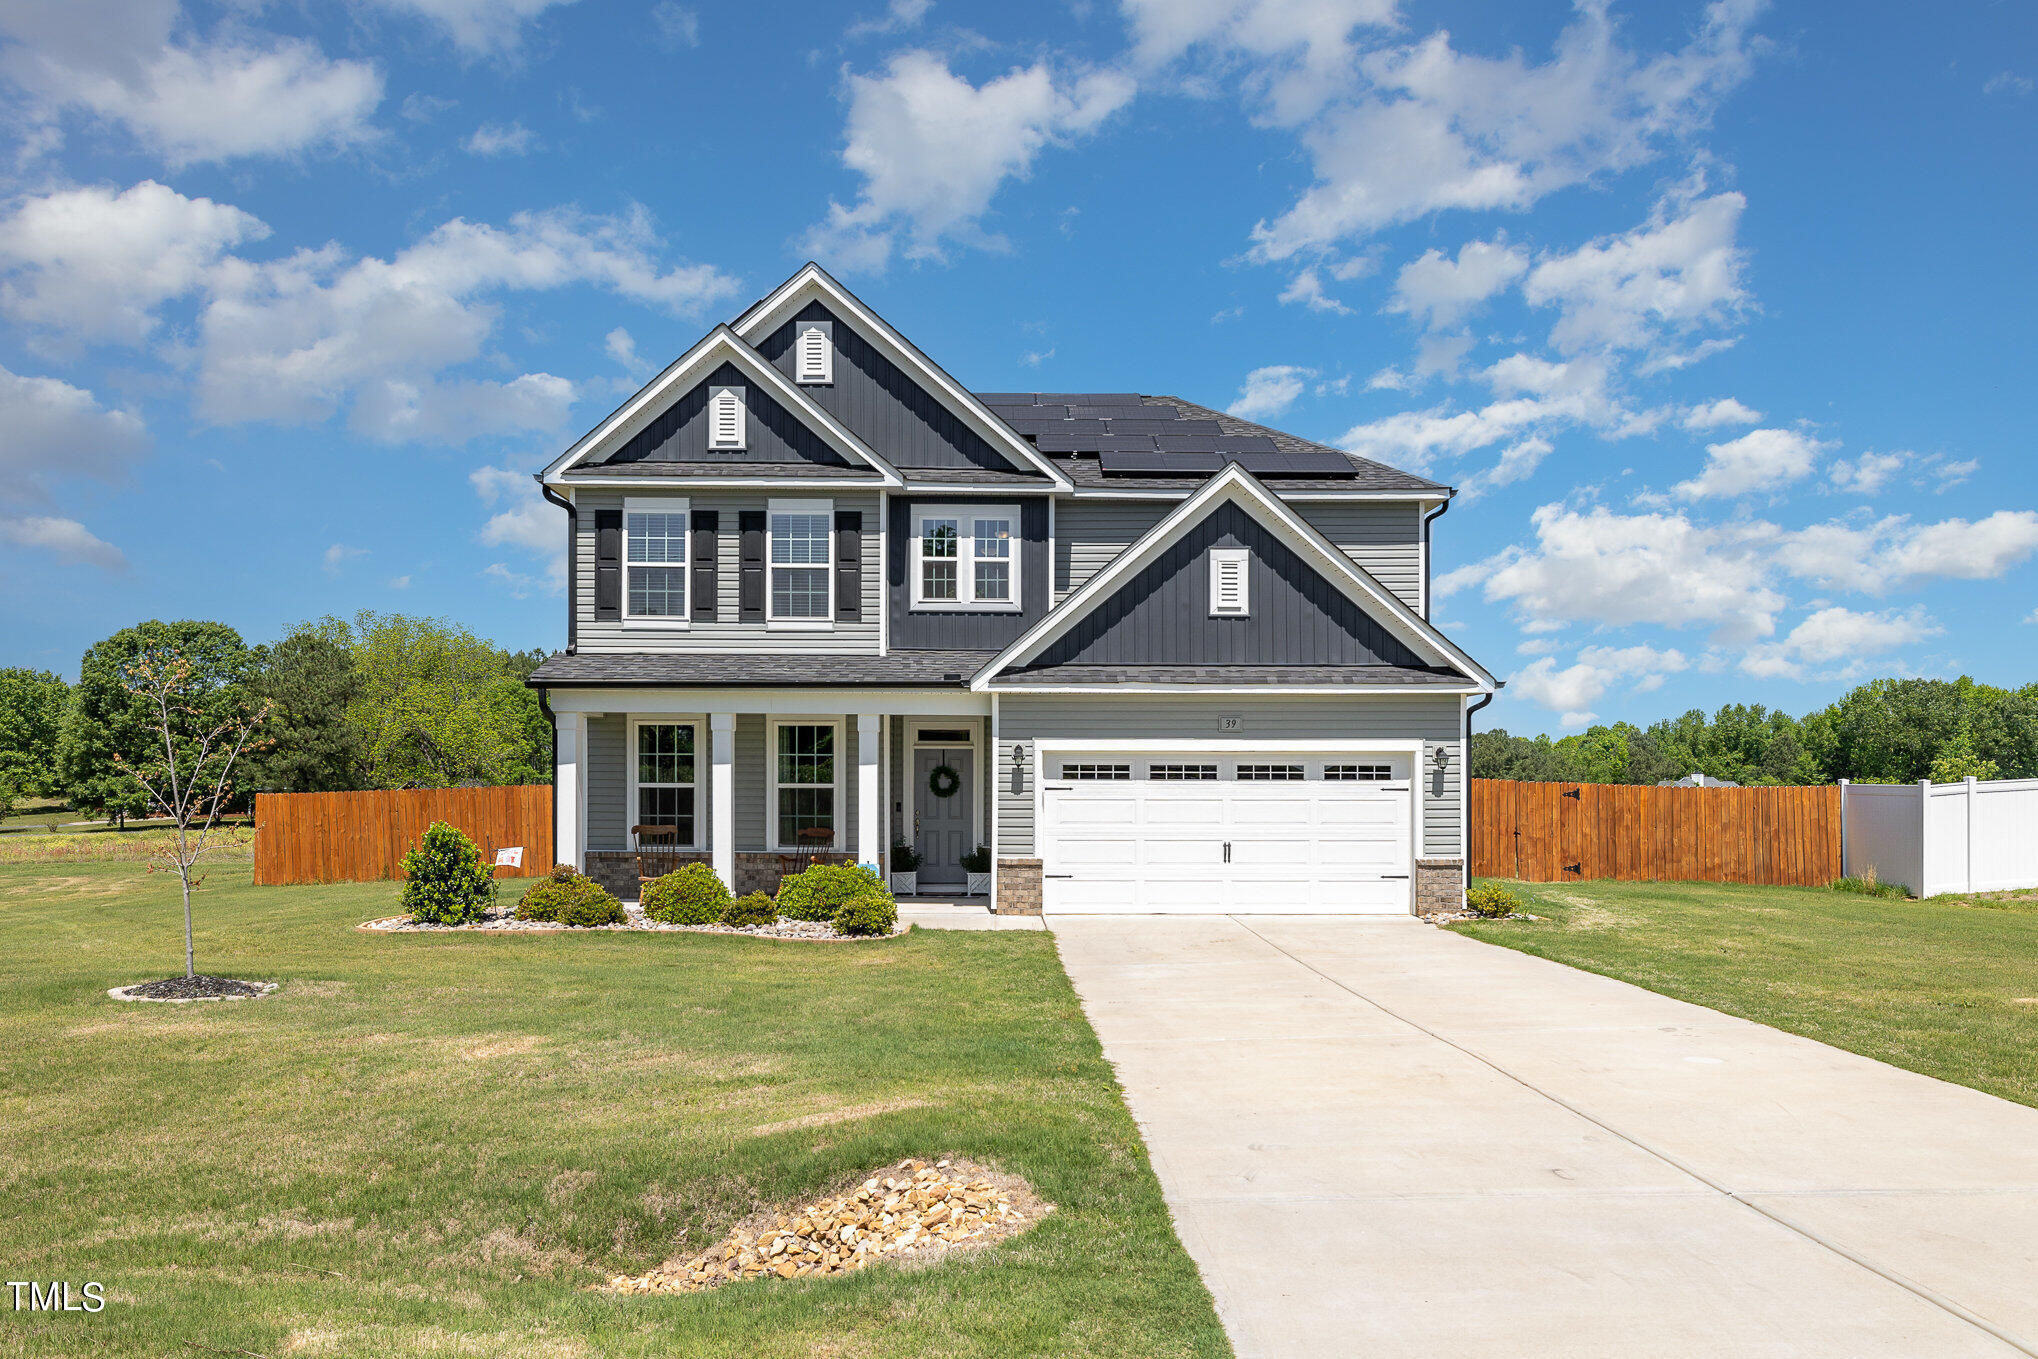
364	836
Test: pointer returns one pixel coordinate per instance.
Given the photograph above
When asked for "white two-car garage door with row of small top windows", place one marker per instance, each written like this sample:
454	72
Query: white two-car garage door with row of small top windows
1238	834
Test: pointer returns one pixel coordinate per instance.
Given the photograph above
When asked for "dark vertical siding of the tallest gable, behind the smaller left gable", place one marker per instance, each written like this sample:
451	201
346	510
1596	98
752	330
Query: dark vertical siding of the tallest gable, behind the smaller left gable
875	398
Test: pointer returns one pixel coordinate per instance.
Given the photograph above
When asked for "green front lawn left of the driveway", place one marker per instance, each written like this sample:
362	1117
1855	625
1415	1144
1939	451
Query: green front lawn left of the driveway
433	1146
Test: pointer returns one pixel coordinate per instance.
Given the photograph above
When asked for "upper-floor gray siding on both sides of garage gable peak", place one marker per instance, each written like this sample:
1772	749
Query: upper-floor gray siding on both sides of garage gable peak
1383	537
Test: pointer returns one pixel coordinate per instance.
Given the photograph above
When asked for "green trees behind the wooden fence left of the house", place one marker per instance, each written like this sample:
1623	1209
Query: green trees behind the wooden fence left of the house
382	702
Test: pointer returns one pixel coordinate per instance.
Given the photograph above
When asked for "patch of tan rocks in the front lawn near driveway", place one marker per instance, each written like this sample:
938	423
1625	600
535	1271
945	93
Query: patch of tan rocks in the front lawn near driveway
912	1213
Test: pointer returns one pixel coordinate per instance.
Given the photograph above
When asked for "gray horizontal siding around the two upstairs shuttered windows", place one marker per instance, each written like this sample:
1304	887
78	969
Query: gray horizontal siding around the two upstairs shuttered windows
729	635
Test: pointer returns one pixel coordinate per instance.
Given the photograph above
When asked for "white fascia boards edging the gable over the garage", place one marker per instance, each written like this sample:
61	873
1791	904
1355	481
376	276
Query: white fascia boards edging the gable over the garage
1236	484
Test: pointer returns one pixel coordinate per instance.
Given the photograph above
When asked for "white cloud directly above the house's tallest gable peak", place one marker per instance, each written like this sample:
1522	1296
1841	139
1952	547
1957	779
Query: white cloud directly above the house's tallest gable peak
934	152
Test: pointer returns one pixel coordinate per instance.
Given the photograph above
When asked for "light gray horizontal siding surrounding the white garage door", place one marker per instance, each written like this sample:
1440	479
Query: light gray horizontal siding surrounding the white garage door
1146	718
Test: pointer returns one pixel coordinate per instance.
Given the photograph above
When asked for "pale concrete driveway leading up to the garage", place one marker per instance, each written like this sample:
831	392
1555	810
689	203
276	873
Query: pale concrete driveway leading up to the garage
1387	1140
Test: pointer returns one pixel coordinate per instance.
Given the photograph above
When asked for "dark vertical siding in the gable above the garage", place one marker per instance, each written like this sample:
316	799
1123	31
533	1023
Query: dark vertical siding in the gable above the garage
1163	614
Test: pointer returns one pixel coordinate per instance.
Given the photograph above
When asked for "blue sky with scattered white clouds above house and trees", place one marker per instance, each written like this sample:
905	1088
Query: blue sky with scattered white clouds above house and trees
1717	315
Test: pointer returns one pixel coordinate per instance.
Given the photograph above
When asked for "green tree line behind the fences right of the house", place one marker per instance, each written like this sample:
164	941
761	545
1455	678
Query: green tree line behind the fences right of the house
1882	732
